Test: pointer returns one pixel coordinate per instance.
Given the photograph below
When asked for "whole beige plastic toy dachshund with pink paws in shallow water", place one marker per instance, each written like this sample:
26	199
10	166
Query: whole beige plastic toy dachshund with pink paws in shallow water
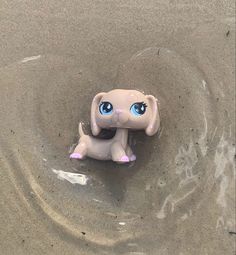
121	109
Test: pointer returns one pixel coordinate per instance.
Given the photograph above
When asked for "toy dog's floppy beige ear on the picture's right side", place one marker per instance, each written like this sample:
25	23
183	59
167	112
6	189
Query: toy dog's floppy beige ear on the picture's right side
154	122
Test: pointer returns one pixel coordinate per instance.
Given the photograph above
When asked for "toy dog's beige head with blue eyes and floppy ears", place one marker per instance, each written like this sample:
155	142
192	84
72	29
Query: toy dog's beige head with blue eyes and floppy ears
122	108
